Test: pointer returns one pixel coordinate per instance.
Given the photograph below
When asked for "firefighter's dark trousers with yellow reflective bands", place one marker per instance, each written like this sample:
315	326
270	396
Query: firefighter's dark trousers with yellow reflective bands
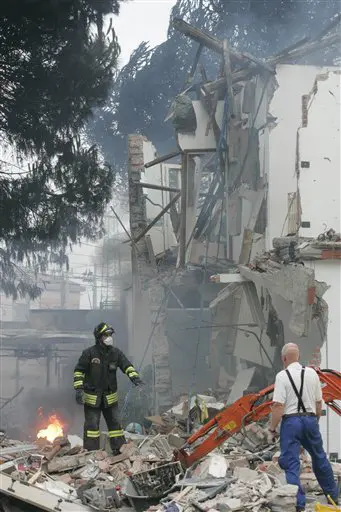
91	427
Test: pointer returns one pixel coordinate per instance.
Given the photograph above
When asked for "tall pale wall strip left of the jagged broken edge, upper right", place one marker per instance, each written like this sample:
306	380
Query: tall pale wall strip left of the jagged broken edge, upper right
294	81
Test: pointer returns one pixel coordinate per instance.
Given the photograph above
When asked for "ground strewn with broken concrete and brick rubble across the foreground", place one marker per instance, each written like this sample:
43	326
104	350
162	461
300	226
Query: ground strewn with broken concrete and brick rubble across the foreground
243	474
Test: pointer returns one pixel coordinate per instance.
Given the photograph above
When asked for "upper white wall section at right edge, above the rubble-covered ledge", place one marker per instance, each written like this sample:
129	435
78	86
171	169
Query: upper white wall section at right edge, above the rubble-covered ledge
319	145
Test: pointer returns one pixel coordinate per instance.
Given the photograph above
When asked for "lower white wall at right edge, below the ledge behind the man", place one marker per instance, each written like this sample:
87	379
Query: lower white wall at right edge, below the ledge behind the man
330	273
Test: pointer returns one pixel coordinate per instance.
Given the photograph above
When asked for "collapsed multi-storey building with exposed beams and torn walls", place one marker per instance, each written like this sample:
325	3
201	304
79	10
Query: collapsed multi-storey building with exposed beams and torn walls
235	250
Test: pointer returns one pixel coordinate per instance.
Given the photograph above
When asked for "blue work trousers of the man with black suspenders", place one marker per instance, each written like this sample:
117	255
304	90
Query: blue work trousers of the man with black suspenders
297	431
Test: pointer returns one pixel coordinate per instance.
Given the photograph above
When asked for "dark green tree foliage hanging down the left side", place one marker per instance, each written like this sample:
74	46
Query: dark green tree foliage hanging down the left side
56	66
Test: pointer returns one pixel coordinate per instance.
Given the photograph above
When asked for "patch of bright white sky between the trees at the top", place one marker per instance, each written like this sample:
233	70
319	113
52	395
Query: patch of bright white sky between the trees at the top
141	20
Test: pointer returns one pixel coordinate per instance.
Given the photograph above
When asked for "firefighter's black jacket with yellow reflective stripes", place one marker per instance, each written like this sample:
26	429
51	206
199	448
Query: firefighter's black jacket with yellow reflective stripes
95	374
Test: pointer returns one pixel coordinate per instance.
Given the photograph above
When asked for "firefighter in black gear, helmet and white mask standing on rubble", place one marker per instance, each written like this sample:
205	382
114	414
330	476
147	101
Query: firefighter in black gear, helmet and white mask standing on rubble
95	383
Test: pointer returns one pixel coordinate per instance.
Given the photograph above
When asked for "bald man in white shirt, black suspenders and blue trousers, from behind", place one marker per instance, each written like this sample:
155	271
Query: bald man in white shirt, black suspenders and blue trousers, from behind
297	401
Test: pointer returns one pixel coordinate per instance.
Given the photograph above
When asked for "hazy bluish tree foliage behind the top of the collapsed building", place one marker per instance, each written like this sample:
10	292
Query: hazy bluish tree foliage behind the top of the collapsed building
146	86
